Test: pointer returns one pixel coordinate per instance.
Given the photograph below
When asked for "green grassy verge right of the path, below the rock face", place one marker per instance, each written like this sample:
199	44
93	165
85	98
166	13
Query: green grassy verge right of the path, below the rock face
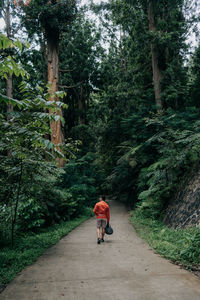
180	246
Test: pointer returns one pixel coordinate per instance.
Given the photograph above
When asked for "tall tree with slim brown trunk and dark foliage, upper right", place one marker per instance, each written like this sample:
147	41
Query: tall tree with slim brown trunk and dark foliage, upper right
166	33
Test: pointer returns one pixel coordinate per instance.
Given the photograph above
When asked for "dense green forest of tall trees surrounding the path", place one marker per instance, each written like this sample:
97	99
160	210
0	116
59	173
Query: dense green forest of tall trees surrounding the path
95	97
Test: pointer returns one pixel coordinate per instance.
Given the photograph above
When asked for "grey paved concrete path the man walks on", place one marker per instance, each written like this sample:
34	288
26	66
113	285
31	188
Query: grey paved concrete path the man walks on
123	268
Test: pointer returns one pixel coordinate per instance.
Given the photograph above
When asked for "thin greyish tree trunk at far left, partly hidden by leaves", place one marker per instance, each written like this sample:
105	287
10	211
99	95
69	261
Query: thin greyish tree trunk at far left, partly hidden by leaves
9	86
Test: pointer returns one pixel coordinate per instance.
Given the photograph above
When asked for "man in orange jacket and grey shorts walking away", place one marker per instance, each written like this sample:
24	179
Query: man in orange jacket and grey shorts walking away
102	212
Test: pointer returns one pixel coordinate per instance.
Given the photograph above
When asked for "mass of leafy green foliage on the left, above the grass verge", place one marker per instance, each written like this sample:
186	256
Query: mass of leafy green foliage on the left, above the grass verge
26	174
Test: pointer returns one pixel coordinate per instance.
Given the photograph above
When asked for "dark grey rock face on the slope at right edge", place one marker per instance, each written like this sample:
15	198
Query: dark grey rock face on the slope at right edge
184	210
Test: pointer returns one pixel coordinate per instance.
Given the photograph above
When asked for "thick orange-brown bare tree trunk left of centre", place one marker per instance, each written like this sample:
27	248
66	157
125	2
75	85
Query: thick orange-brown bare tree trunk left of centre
53	77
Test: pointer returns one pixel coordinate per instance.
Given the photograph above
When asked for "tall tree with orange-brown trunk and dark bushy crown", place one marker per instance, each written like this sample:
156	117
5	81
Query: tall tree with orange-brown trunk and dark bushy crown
53	18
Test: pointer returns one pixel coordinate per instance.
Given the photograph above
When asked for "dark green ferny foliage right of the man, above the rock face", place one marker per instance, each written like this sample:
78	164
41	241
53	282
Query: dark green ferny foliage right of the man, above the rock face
158	154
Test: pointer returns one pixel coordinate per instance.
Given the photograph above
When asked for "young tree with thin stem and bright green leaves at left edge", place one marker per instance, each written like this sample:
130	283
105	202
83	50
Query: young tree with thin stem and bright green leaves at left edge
23	138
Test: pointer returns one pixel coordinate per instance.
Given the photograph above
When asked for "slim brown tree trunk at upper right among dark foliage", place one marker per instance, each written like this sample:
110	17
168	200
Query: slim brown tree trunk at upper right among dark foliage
157	73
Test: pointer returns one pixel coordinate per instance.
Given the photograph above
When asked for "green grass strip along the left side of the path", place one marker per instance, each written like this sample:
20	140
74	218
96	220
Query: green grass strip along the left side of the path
29	247
